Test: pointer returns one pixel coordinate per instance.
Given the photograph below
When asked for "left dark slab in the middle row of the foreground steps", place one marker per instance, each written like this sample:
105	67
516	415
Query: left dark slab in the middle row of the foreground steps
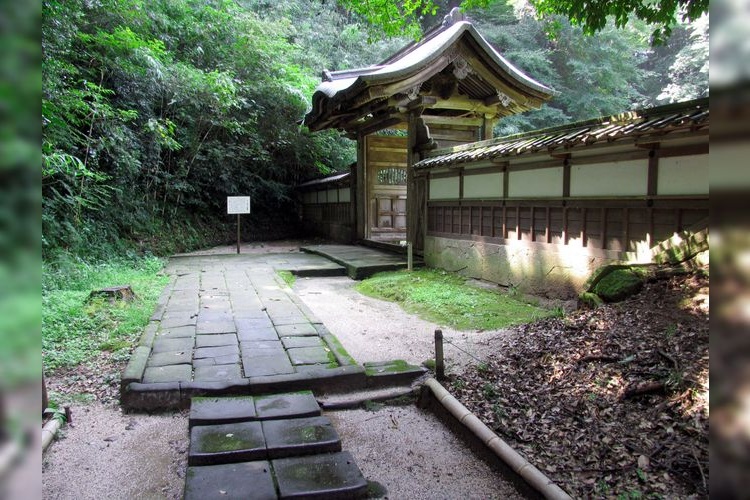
226	443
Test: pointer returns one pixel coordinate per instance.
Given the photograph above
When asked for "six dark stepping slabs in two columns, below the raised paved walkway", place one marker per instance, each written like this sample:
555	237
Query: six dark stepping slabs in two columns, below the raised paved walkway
267	447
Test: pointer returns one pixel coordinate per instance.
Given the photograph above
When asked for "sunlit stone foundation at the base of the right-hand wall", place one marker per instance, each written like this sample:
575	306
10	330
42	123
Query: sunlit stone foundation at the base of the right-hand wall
548	270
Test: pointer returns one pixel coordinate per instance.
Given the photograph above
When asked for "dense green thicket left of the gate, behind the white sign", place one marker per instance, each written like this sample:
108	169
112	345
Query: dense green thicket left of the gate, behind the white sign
154	112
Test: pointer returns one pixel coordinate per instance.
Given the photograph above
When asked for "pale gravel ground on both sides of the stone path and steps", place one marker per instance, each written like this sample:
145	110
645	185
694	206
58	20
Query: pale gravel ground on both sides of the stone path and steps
108	454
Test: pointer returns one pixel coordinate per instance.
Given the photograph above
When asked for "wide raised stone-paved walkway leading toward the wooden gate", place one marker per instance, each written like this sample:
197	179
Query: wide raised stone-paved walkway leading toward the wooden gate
229	324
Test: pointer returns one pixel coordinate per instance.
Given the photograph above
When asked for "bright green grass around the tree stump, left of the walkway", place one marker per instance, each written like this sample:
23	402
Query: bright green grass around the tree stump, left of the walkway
75	329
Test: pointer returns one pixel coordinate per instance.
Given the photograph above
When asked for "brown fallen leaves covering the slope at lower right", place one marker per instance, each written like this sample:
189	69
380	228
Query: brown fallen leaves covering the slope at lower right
611	402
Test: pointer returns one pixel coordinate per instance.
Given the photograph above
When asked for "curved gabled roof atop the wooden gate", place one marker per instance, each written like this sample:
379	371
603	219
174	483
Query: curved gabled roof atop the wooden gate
452	71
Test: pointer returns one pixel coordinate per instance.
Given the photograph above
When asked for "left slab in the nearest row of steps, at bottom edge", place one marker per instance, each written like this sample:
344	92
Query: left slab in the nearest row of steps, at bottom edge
246	480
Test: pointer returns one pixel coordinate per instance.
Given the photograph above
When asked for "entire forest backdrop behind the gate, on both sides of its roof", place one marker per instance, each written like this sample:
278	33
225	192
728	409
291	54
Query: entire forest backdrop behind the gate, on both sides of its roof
154	111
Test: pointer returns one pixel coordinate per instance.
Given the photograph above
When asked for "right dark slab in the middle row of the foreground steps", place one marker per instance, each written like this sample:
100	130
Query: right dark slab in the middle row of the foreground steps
300	436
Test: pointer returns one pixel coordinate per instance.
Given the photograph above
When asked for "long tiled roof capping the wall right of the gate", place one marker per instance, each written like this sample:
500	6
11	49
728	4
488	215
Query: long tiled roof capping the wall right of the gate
662	120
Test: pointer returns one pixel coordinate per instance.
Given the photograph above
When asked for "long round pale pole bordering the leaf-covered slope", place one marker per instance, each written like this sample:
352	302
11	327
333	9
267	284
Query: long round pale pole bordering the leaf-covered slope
468	422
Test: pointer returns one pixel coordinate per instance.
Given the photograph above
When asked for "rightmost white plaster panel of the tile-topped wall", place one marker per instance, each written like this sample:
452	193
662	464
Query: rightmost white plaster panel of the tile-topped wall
683	175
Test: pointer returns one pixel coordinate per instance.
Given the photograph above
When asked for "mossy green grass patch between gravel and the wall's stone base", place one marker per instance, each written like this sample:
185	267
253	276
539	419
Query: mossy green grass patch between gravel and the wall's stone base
446	299
